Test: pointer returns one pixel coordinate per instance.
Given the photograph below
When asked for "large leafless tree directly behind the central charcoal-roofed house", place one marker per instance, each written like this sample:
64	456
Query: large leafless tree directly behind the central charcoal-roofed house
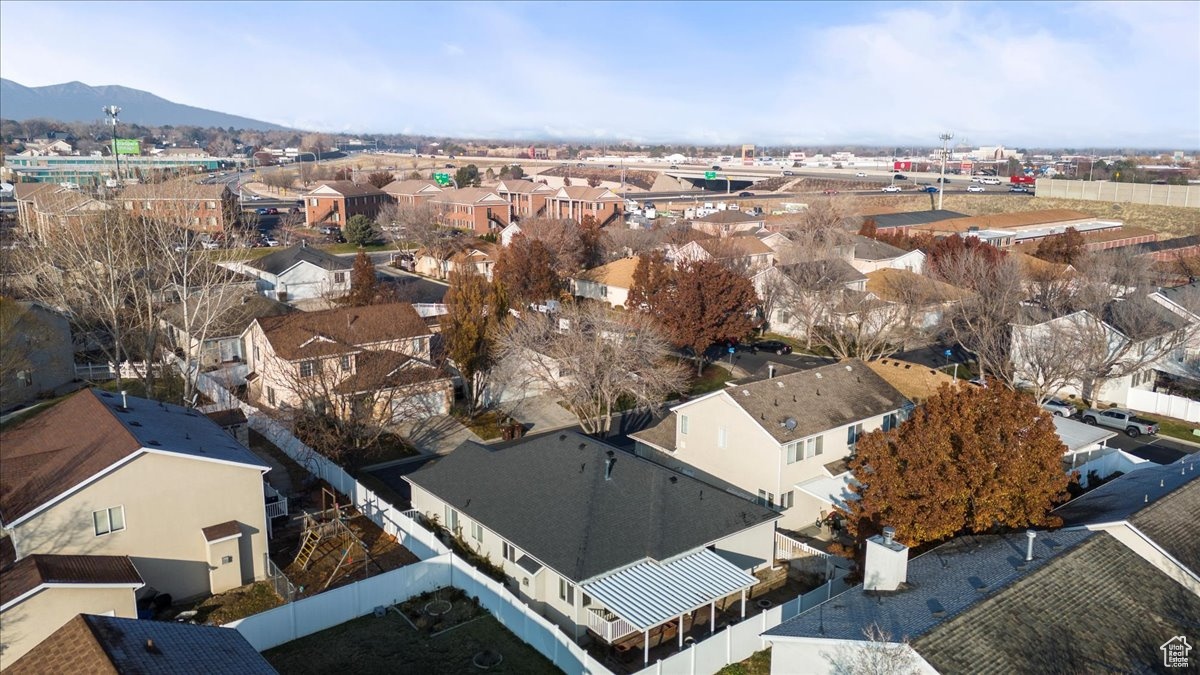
595	361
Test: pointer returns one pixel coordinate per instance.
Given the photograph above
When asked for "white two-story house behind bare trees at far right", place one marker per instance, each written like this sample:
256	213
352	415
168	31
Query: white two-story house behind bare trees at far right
1147	338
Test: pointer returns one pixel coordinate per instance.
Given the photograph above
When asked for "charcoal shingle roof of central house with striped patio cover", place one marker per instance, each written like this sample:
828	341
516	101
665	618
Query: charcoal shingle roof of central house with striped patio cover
549	497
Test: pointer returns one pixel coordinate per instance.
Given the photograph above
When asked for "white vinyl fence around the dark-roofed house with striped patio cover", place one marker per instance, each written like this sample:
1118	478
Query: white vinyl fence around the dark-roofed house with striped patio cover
440	568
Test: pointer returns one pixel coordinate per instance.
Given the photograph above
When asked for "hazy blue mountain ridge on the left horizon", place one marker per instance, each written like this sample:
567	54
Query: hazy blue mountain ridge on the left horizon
76	101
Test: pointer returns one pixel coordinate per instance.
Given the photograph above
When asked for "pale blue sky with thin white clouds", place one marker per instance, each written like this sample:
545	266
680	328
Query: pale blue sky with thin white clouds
1016	74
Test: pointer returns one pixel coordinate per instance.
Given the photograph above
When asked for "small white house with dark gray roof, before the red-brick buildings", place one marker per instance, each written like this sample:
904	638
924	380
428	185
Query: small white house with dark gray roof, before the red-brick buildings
299	273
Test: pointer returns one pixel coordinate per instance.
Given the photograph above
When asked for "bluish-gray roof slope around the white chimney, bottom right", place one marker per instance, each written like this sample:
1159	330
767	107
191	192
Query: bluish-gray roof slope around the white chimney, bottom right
946	578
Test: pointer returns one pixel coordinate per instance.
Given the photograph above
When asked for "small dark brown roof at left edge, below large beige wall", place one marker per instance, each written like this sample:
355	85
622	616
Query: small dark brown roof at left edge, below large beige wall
32	572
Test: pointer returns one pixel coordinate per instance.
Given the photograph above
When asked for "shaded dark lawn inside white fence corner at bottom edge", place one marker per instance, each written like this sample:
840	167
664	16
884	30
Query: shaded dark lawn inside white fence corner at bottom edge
392	644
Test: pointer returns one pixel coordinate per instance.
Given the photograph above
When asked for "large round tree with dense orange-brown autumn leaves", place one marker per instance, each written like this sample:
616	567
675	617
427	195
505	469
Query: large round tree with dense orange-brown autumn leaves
977	459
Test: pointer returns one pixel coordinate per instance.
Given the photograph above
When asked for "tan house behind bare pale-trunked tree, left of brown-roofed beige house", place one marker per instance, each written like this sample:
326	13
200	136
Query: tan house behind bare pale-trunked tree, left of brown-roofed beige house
218	321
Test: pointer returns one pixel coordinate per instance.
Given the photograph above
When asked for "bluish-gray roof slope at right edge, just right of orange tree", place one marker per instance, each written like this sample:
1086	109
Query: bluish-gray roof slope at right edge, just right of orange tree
1119	500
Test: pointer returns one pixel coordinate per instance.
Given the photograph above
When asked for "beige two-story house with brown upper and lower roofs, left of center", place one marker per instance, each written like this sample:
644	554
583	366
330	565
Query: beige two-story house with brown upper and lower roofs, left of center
325	357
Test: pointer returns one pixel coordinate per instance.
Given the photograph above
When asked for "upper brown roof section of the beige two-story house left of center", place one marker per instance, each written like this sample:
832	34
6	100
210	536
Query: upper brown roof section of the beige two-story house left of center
339	331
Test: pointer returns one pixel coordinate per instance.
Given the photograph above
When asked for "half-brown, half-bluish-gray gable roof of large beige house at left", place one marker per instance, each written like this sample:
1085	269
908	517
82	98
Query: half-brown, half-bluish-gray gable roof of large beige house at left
89	433
